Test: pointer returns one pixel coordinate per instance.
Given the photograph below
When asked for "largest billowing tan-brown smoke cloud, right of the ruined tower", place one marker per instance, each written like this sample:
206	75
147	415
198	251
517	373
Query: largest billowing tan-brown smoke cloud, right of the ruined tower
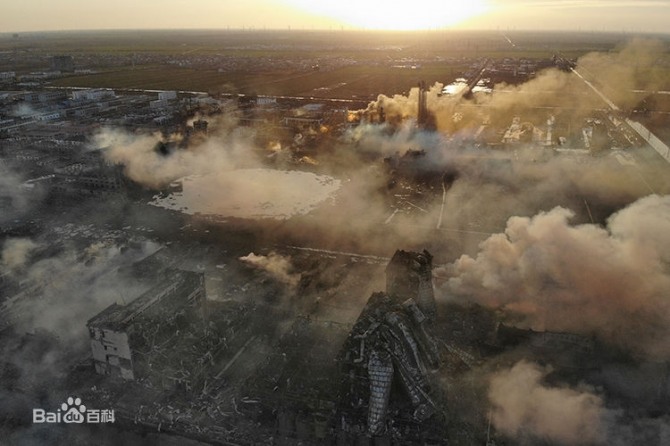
612	282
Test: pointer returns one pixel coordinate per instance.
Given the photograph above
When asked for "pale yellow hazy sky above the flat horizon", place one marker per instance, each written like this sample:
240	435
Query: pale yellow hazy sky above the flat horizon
596	15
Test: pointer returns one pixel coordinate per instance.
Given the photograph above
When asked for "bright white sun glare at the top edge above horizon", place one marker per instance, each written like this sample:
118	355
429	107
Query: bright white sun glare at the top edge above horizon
390	15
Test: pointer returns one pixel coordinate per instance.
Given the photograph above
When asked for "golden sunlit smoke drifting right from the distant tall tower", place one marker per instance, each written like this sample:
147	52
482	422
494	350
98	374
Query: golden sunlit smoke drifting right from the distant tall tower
634	66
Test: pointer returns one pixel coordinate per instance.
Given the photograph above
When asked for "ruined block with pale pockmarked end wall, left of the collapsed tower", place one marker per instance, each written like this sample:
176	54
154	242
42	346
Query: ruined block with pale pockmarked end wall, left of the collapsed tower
119	332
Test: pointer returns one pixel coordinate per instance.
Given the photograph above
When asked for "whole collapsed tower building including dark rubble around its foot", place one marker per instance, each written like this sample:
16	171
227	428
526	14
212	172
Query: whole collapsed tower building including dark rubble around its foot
388	355
